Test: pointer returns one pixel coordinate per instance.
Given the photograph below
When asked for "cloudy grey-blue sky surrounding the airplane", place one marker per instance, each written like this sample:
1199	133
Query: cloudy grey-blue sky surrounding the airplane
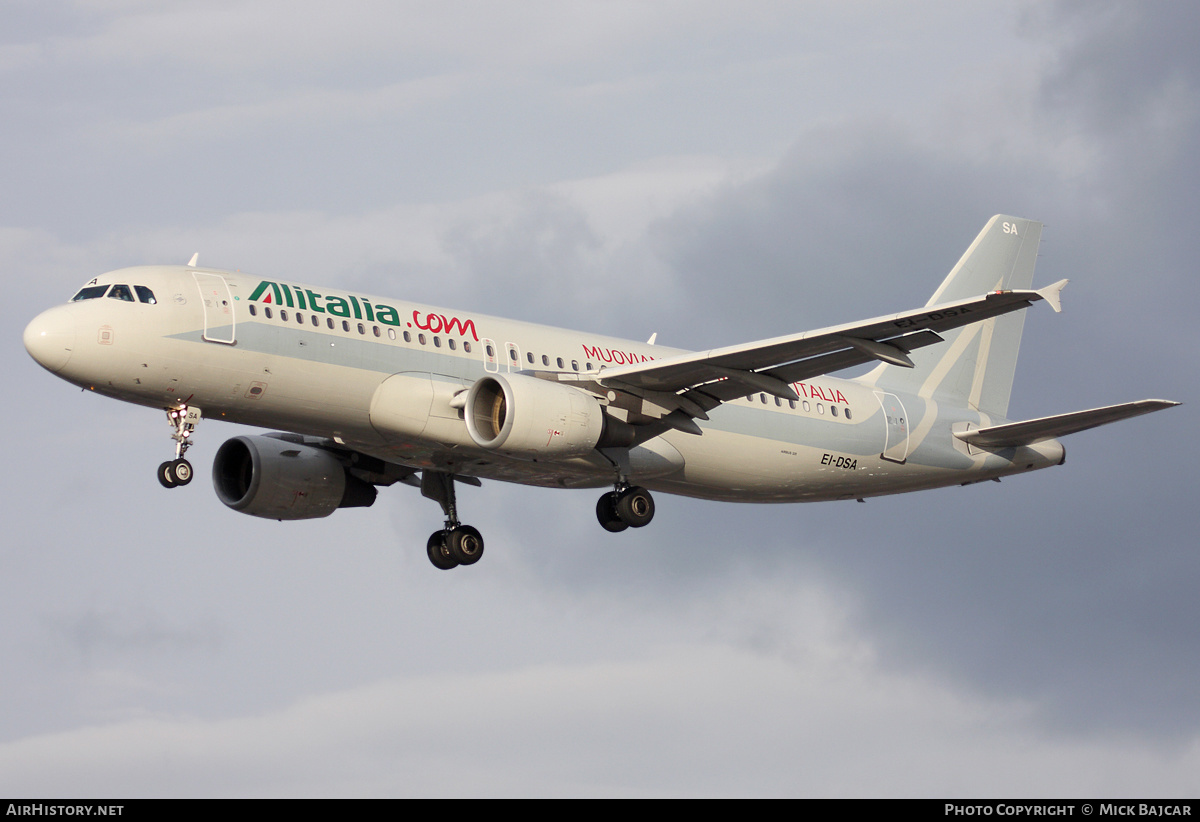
713	172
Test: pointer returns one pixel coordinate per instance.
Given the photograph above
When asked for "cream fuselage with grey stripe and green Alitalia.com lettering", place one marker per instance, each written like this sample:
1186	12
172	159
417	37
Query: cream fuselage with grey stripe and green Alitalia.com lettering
381	377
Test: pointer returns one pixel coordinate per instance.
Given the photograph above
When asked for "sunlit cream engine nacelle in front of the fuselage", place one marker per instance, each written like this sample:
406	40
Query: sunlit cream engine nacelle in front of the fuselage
533	419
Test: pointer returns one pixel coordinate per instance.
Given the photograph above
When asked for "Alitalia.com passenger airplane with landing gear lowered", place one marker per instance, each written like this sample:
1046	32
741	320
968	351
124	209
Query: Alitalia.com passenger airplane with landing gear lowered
371	392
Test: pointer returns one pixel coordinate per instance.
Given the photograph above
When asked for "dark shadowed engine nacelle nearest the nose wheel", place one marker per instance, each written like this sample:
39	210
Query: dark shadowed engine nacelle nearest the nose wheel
279	479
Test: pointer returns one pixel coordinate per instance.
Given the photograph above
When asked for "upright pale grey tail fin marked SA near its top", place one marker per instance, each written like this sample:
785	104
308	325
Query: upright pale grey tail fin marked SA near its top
977	363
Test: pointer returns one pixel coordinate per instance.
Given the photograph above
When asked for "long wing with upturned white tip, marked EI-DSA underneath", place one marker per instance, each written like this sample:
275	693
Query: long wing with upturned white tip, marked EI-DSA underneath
687	387
